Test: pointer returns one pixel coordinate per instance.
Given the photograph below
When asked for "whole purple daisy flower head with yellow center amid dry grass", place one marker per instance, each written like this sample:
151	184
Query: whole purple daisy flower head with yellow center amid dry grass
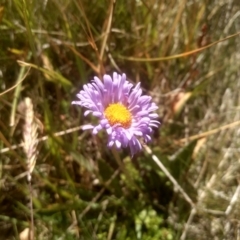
123	112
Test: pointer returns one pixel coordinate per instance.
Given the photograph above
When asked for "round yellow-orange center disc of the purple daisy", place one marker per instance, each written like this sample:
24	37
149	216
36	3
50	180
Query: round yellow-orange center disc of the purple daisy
117	113
